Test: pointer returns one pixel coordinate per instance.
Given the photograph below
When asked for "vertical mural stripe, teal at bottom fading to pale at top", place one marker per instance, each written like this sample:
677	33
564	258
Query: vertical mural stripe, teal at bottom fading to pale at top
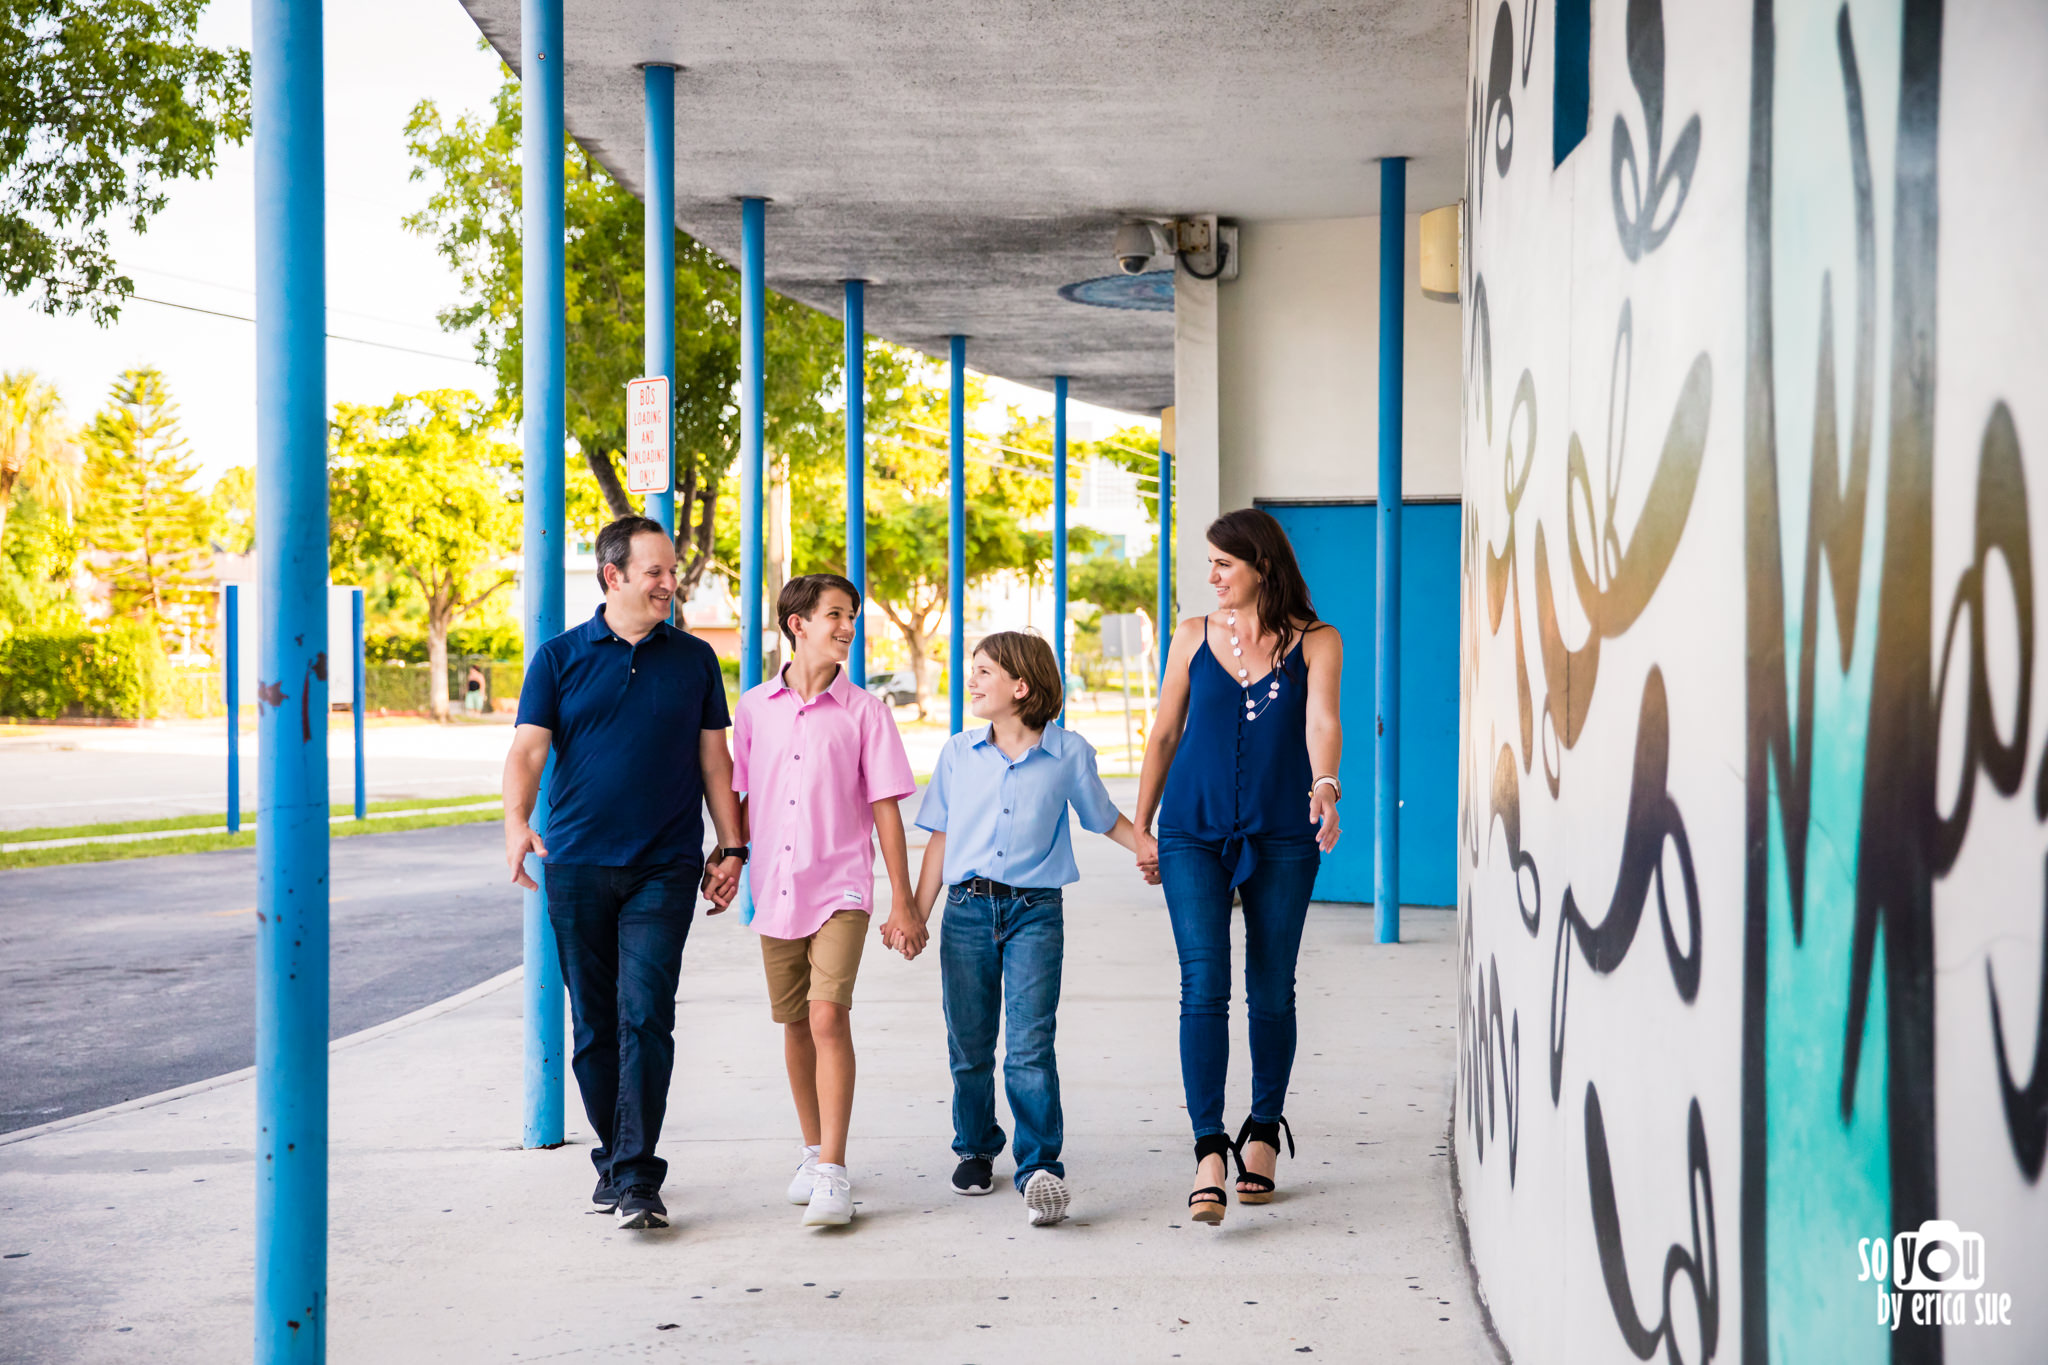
1828	1176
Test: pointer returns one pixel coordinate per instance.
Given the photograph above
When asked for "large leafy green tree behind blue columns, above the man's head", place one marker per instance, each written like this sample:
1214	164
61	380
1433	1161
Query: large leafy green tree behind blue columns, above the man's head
474	218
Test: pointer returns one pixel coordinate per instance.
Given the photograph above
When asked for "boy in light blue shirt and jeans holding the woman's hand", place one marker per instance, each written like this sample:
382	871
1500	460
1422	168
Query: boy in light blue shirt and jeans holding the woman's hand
998	818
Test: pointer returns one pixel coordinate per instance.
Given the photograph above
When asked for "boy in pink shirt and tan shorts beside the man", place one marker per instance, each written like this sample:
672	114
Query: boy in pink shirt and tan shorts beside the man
822	768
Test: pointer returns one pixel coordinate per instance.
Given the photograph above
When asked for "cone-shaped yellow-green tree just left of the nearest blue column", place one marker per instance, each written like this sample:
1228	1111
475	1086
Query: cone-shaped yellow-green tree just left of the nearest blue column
142	513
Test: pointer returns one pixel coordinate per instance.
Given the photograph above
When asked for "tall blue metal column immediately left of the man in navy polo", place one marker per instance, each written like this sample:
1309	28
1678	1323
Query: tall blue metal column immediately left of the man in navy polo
546	382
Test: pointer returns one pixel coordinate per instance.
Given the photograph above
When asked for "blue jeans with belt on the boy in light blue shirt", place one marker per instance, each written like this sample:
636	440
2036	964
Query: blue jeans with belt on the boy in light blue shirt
998	959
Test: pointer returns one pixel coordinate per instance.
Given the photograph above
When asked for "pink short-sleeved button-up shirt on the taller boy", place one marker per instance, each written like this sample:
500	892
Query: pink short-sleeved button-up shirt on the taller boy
812	773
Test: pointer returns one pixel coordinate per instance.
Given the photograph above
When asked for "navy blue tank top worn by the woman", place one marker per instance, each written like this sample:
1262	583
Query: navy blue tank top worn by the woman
1242	770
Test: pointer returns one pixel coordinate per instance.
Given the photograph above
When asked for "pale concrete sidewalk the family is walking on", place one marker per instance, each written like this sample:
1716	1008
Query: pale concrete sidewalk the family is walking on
130	1235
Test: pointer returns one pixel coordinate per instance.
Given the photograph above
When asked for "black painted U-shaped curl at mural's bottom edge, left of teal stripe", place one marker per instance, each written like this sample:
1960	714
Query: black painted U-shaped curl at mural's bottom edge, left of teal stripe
1697	1264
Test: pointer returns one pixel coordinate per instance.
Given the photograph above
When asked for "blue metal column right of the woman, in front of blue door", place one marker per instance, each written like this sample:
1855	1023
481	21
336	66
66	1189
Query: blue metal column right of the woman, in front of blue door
1388	648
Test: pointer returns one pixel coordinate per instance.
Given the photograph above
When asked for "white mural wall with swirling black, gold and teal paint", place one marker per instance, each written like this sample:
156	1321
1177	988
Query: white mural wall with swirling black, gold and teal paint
1754	797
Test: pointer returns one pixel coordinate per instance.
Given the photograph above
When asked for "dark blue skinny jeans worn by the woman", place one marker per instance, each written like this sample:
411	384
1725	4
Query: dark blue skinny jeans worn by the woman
1199	901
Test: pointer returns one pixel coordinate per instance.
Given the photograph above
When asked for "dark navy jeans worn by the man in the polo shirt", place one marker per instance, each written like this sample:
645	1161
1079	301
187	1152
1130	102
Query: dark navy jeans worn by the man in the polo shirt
620	934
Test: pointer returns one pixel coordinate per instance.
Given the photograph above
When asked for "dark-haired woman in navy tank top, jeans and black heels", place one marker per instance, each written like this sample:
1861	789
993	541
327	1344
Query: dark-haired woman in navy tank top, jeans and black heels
1246	756
